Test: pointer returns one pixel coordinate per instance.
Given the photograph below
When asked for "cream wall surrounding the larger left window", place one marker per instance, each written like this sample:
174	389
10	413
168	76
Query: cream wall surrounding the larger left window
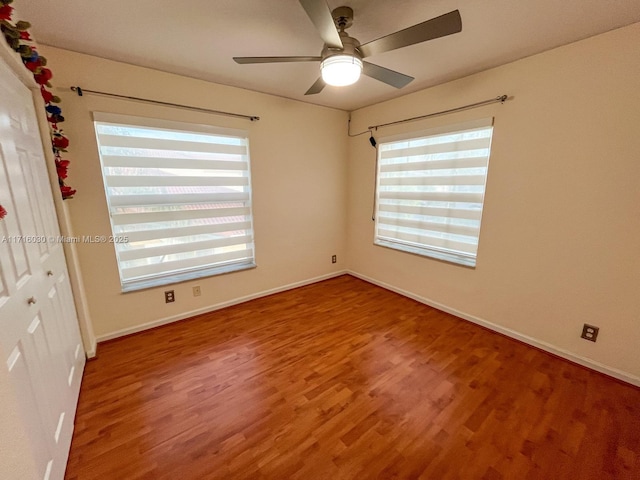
298	158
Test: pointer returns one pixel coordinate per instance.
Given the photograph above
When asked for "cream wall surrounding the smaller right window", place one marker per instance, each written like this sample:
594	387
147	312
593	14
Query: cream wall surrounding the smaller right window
560	238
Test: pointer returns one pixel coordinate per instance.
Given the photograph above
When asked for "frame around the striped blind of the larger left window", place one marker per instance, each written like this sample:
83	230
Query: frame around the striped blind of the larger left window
194	272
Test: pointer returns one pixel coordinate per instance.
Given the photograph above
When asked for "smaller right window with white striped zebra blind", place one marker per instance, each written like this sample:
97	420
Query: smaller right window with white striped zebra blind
430	191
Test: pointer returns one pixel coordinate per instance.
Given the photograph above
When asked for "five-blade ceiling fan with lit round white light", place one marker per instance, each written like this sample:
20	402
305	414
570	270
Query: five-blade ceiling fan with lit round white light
341	59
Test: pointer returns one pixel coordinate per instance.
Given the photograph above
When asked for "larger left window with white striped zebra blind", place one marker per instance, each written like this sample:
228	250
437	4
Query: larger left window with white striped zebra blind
179	198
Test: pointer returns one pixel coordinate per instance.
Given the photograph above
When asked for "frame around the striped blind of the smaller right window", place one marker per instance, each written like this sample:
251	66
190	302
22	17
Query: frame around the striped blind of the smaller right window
465	259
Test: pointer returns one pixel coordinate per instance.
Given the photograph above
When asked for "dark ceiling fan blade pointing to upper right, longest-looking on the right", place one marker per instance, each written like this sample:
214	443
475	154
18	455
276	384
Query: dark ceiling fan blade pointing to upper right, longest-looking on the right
437	27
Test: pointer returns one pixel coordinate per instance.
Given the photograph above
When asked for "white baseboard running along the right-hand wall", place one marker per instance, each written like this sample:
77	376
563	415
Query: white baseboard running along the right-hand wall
567	355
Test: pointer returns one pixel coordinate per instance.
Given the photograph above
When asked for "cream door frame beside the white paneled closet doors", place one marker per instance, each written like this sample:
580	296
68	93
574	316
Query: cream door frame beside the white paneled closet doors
12	59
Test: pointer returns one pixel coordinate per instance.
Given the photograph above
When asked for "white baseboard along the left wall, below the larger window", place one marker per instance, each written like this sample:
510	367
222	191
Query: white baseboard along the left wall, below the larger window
211	308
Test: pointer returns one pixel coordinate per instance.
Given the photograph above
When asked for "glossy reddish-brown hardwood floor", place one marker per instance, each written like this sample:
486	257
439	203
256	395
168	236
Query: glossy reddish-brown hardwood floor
345	380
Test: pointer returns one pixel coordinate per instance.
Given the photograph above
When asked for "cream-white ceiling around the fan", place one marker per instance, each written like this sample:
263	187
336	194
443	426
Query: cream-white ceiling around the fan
198	38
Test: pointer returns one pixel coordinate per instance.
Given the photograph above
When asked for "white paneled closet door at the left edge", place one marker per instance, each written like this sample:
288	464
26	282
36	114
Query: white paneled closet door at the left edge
39	335
